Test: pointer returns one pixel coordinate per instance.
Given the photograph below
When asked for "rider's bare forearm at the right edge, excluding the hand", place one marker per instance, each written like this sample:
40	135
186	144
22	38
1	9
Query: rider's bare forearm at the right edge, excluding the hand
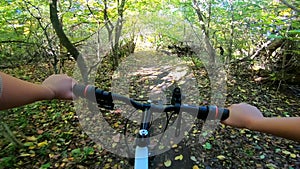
283	127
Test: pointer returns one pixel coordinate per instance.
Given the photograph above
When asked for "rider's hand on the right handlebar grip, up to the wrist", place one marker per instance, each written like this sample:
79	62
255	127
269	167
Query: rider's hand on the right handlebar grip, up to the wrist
243	115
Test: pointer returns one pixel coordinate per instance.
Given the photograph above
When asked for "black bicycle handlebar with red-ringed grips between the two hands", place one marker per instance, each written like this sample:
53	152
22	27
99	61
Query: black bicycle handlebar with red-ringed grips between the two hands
105	100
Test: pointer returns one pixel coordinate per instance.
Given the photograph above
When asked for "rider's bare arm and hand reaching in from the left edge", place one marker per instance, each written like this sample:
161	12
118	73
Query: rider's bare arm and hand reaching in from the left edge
16	92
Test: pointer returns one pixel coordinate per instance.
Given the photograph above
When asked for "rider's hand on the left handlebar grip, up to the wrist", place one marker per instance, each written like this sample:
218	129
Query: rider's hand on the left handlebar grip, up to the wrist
60	86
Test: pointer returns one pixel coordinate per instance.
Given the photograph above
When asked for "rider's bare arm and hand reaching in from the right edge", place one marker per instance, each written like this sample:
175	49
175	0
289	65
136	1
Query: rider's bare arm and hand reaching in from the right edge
246	116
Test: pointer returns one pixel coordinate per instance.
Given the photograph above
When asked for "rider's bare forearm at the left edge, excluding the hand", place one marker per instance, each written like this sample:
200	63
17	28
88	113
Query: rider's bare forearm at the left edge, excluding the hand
16	92
